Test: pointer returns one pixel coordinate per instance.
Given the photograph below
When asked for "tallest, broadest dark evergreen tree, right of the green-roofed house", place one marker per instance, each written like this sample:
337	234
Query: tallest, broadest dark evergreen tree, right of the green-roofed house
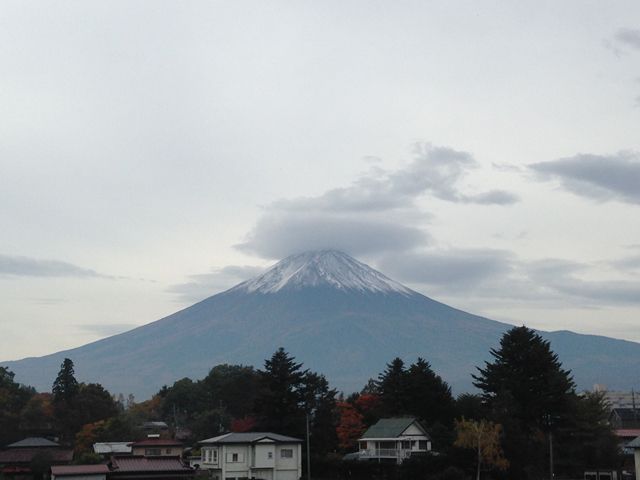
524	388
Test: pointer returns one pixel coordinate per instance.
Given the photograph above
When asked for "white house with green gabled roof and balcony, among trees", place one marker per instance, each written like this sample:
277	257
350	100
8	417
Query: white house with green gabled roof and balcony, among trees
394	440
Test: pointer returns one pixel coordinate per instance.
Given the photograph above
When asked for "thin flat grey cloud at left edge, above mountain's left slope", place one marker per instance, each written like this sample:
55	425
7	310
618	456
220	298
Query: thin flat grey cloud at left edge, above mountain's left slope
33	267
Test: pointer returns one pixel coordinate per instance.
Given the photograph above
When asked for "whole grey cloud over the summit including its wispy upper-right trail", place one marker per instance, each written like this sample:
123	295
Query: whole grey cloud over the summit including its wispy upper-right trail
376	214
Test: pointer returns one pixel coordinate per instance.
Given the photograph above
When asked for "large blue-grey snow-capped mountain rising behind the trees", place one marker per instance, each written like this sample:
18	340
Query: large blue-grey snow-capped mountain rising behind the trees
335	314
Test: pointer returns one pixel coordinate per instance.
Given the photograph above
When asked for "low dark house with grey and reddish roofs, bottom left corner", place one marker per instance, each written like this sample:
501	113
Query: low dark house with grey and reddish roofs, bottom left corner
16	459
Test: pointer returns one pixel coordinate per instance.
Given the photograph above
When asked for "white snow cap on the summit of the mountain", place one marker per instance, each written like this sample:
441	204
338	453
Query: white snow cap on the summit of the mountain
322	268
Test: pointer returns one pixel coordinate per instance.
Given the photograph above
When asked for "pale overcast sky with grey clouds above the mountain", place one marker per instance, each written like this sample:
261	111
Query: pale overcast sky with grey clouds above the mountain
154	153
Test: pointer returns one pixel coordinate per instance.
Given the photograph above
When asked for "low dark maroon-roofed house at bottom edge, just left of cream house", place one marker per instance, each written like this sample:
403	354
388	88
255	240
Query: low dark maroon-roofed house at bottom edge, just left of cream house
149	468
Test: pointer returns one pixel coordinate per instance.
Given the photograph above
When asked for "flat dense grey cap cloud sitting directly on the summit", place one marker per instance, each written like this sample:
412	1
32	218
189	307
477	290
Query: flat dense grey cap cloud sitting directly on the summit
280	234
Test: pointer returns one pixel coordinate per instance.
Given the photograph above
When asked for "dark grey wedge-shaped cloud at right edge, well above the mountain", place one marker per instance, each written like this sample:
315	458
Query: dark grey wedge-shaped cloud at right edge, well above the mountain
596	176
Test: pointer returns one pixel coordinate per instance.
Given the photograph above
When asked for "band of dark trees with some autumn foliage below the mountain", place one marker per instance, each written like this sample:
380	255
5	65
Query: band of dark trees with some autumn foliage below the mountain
526	398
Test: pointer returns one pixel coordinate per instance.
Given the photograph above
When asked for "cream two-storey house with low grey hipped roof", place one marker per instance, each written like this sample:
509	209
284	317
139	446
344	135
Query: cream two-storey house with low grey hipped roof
259	455
